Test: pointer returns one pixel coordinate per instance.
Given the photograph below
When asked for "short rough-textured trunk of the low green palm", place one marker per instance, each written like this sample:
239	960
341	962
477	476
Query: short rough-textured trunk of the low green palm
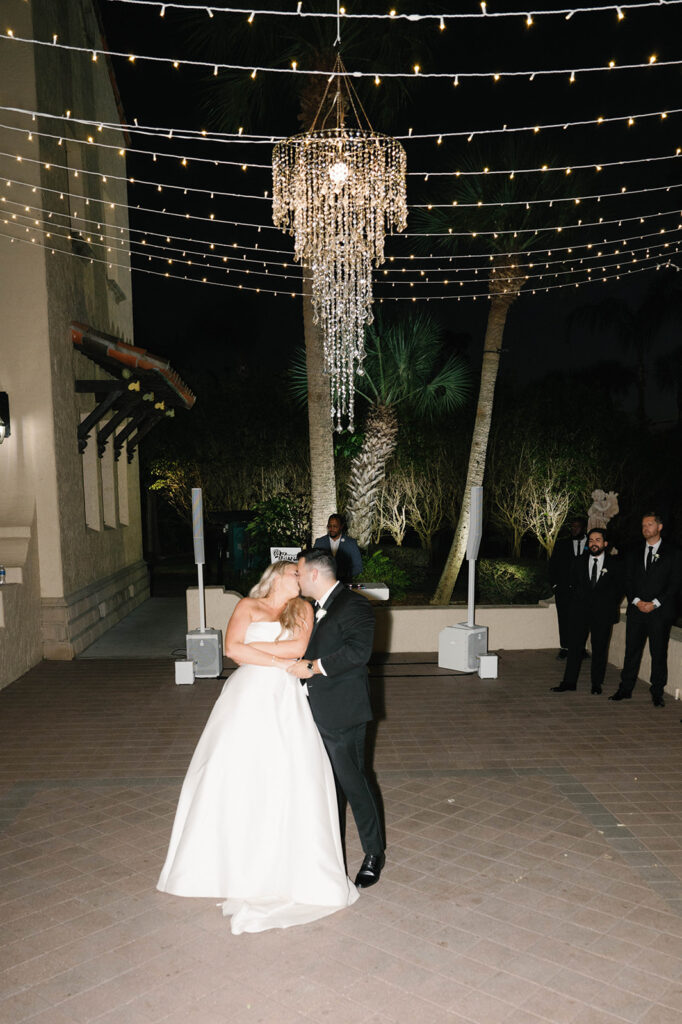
368	472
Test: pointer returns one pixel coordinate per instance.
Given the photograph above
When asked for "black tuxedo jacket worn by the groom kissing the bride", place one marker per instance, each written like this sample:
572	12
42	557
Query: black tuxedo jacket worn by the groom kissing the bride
343	639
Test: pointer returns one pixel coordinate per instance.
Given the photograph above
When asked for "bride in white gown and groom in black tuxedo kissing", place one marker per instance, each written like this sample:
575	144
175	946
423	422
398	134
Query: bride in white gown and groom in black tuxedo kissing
261	816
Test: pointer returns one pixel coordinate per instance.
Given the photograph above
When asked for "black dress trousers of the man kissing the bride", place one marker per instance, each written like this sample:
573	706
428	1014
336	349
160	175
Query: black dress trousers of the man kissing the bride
347	752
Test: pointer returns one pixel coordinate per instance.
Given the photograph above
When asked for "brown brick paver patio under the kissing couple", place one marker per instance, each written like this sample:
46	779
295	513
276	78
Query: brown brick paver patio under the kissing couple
534	874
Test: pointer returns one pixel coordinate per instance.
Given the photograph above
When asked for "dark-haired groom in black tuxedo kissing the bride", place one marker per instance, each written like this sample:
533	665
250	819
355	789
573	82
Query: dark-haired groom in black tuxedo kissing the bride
335	668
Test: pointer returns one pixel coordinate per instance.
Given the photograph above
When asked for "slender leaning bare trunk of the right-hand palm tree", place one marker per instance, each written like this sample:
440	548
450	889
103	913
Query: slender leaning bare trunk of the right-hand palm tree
497	318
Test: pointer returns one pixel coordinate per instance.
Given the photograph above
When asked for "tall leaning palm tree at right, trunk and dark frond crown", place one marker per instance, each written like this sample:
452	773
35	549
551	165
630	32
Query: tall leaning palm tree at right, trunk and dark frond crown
505	280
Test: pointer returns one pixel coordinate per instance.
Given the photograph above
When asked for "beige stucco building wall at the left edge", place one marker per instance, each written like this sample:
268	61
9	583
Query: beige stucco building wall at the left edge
90	576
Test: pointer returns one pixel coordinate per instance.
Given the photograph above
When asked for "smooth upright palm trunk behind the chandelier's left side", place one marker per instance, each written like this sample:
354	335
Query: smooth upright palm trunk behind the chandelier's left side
323	480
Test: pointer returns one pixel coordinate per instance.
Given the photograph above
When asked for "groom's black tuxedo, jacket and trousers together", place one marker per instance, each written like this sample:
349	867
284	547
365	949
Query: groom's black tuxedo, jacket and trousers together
343	641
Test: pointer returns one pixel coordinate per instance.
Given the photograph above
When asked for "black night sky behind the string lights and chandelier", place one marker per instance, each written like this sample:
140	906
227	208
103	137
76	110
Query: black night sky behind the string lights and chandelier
189	321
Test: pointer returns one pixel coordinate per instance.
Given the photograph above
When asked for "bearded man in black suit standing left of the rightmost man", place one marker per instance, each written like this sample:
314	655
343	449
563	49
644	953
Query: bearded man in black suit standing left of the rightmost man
596	589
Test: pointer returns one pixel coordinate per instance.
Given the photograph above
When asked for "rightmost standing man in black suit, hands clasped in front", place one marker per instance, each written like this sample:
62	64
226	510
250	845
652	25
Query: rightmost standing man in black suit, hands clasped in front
653	582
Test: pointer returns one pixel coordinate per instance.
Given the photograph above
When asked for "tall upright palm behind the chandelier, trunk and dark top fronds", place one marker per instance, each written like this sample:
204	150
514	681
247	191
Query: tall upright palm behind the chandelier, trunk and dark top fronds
232	100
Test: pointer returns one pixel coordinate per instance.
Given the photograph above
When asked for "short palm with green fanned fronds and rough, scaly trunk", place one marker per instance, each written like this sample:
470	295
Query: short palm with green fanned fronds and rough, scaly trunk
406	369
